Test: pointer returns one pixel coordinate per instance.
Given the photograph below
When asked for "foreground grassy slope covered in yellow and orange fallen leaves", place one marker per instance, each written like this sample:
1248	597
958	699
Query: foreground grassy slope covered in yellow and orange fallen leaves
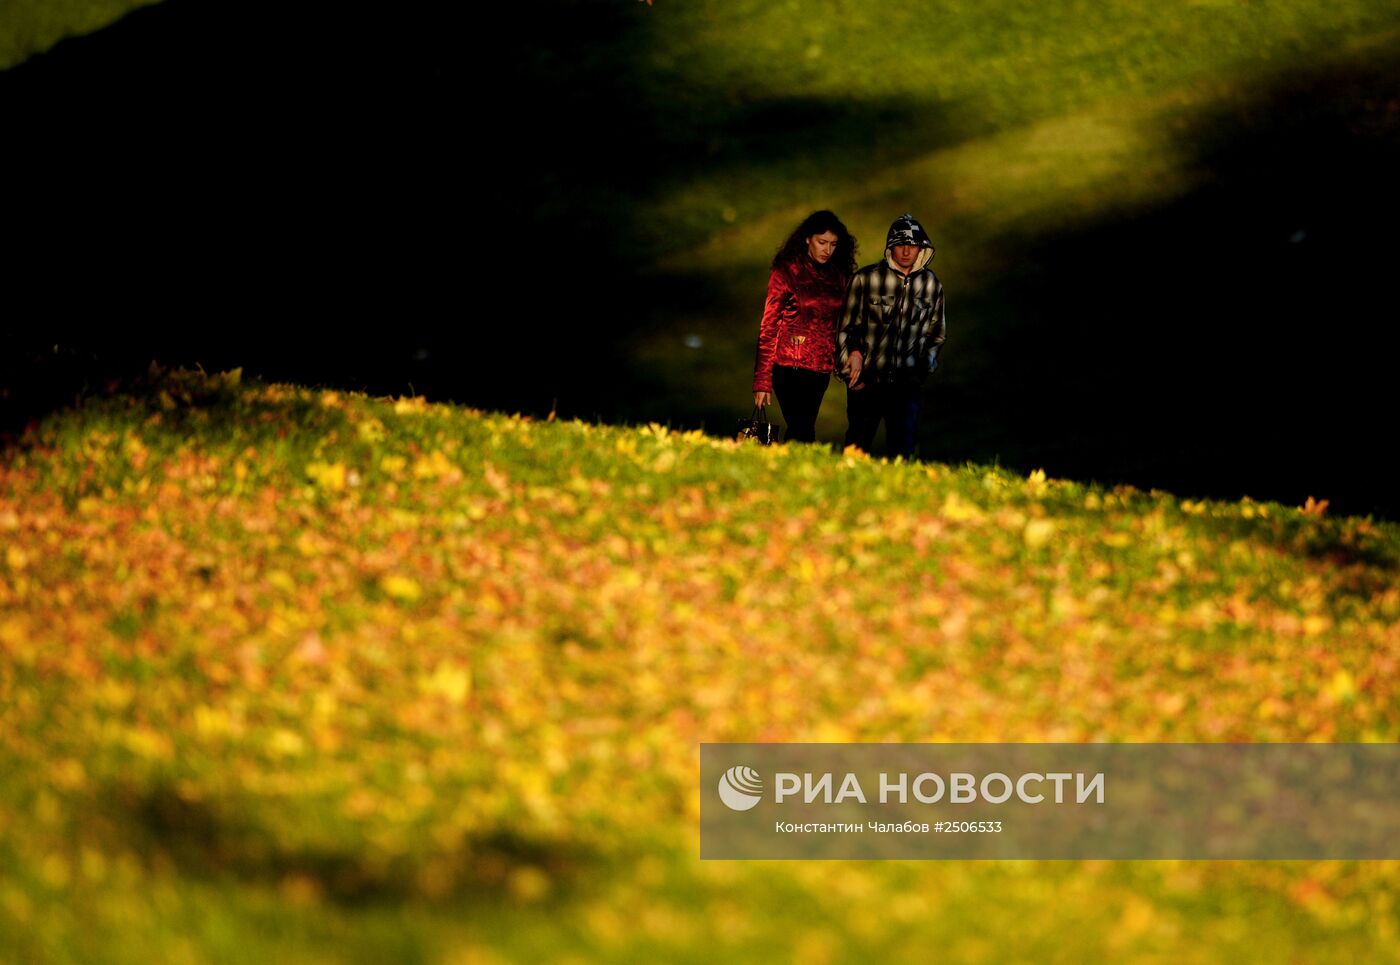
300	674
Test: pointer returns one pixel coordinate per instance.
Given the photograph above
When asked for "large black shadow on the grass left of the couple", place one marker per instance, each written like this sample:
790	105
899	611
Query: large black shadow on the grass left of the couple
391	198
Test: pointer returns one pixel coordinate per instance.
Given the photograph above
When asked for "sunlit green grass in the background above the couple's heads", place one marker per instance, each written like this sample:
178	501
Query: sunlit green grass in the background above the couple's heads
958	72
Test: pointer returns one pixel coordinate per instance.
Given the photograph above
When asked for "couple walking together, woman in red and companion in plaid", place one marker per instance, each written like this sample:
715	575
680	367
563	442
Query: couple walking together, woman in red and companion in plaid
877	330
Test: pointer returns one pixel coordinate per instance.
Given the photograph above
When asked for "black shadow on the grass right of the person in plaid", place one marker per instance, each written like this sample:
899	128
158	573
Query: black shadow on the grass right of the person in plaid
1237	342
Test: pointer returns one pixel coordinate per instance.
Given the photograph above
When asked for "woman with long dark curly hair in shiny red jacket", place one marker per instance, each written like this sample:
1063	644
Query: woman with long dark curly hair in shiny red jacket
797	337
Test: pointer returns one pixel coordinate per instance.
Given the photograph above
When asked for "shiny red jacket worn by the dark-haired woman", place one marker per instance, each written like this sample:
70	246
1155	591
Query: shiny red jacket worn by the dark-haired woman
800	319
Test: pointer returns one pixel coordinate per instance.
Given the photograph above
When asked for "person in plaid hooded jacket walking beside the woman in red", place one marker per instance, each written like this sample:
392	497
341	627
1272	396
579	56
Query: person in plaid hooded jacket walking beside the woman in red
888	341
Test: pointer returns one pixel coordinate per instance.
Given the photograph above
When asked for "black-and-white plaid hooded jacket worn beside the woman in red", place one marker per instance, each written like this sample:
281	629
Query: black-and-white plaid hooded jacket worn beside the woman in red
895	320
